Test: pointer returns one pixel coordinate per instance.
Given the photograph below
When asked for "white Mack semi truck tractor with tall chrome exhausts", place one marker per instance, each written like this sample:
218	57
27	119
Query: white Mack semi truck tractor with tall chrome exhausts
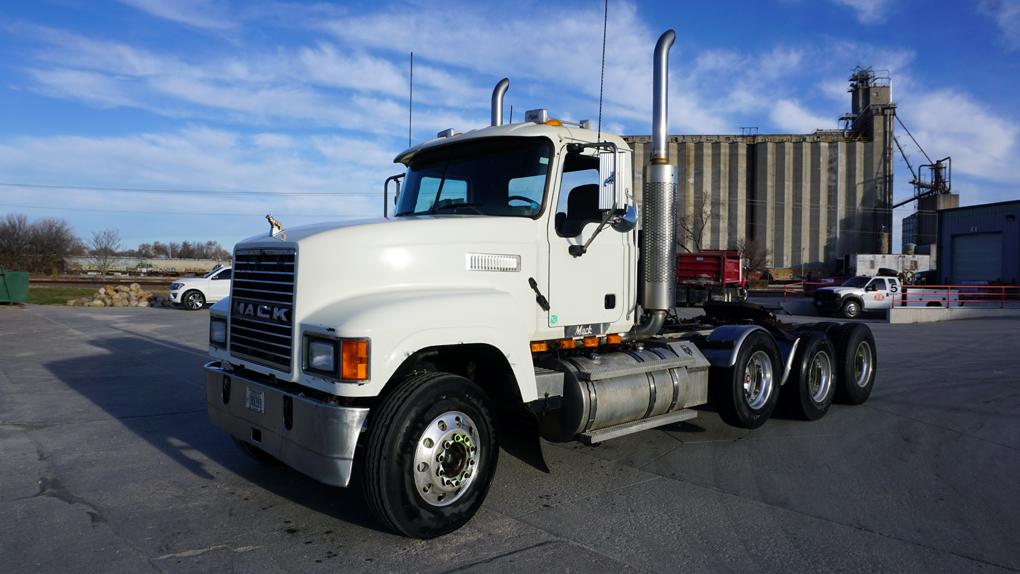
509	297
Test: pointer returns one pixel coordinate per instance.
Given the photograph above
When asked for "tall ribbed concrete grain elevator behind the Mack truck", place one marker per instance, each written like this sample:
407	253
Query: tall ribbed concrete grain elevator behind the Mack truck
808	199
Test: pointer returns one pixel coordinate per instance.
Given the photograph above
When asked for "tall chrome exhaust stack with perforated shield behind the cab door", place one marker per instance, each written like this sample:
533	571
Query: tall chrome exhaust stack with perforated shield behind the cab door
659	211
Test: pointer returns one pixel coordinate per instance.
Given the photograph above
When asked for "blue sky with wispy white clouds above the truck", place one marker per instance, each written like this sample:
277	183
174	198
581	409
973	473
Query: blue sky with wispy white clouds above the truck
312	98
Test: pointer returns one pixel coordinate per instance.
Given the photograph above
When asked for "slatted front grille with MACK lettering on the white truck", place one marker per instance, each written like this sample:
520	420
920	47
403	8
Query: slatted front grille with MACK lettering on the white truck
263	306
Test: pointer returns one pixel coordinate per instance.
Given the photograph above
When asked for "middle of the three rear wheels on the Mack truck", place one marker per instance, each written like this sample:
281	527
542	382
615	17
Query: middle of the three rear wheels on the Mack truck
809	392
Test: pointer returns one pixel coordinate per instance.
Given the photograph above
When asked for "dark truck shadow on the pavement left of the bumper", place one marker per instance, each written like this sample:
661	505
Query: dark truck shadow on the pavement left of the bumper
156	389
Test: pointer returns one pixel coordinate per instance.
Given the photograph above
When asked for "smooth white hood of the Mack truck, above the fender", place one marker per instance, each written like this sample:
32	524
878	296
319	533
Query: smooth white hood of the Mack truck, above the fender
348	259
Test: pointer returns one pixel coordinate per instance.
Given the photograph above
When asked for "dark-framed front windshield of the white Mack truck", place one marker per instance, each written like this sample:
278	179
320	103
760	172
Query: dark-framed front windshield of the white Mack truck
497	177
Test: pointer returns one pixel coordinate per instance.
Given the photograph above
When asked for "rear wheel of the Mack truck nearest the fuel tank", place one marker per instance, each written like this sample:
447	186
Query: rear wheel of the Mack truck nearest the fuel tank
747	393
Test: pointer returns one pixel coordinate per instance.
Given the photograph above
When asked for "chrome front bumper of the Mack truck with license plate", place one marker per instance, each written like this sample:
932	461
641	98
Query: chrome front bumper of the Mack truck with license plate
321	442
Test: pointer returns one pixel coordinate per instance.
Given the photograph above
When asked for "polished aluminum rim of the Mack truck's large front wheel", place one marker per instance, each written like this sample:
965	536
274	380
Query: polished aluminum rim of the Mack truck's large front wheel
447	459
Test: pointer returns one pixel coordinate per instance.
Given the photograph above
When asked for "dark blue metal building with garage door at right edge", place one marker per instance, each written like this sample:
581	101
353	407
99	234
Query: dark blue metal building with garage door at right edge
980	244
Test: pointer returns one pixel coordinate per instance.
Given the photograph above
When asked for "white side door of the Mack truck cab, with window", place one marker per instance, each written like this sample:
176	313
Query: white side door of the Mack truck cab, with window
587	292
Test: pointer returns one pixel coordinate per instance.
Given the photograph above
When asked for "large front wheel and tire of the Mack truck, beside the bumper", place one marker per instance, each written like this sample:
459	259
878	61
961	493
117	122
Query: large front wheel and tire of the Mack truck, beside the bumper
431	455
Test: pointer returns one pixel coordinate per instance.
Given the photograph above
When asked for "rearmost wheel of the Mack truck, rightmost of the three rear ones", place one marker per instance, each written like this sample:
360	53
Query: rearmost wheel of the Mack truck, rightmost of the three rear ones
858	363
